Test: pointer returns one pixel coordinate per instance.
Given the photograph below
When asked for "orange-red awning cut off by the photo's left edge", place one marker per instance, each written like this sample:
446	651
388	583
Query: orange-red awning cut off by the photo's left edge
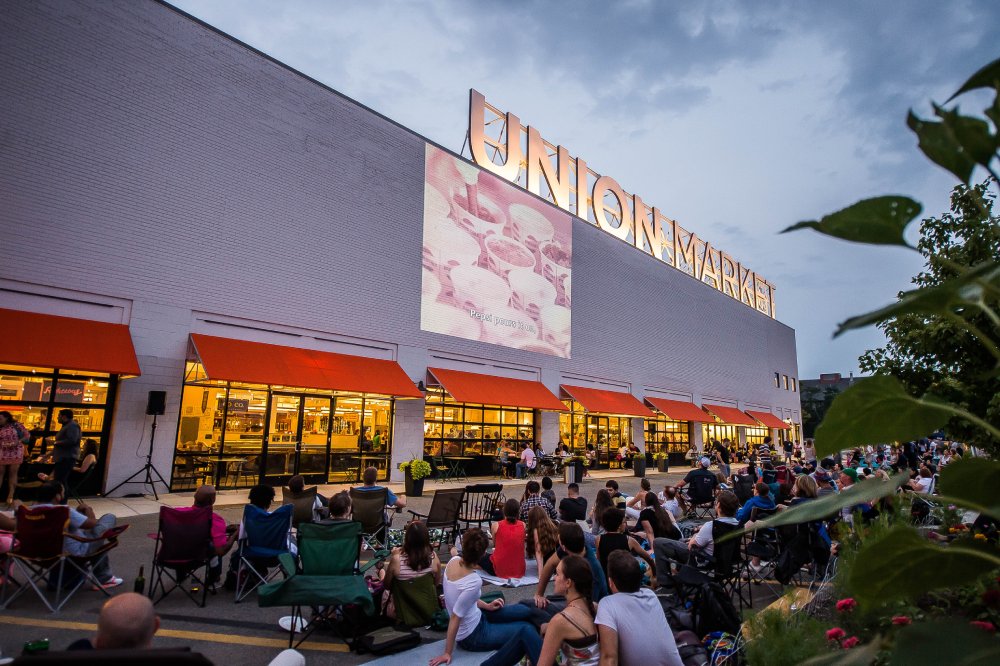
32	339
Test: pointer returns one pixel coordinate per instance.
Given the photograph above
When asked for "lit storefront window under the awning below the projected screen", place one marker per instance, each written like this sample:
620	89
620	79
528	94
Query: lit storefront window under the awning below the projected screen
460	429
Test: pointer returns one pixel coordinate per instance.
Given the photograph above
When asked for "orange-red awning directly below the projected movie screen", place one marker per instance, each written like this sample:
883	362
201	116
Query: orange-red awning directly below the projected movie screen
502	391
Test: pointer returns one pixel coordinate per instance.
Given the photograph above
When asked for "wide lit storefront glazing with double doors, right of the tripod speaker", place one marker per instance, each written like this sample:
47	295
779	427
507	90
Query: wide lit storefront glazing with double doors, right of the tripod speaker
236	435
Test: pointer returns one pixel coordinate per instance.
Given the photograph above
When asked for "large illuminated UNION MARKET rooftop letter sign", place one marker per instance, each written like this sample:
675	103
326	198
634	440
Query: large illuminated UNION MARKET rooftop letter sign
501	145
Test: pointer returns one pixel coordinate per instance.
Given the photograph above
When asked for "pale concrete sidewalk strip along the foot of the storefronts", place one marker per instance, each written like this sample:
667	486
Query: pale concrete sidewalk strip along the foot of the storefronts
125	507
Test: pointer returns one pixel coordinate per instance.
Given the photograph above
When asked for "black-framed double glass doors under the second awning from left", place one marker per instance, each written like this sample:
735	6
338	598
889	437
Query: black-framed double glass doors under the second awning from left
297	435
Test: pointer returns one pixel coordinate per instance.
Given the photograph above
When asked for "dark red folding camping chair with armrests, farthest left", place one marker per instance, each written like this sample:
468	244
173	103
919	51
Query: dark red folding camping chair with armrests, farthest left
39	554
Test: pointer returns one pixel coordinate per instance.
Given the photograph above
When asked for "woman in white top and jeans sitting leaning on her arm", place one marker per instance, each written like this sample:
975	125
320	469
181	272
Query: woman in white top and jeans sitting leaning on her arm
480	627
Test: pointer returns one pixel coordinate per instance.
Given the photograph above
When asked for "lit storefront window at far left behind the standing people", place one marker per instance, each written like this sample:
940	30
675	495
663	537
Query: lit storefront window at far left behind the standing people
34	397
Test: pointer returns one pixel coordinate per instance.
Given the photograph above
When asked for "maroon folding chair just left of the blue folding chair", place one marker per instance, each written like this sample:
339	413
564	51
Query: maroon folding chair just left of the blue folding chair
183	545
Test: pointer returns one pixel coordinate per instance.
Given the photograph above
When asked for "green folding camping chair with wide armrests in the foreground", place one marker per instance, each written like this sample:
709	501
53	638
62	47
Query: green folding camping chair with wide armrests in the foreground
327	573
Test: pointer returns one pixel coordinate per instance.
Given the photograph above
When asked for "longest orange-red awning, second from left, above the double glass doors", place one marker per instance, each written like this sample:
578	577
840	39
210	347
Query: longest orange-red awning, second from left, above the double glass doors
260	363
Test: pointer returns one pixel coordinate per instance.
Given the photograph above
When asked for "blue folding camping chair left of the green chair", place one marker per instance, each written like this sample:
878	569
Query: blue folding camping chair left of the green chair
265	537
